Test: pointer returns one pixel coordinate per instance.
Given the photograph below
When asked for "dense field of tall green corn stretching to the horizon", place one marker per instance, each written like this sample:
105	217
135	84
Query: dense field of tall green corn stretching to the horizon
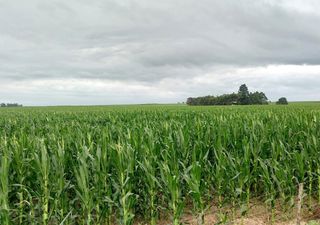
149	163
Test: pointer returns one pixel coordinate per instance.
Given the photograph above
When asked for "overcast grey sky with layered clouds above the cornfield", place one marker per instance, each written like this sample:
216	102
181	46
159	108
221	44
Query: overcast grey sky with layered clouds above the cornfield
98	52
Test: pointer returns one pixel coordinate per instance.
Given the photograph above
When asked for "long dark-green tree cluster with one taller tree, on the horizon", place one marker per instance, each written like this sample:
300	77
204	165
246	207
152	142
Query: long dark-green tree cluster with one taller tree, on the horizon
243	97
